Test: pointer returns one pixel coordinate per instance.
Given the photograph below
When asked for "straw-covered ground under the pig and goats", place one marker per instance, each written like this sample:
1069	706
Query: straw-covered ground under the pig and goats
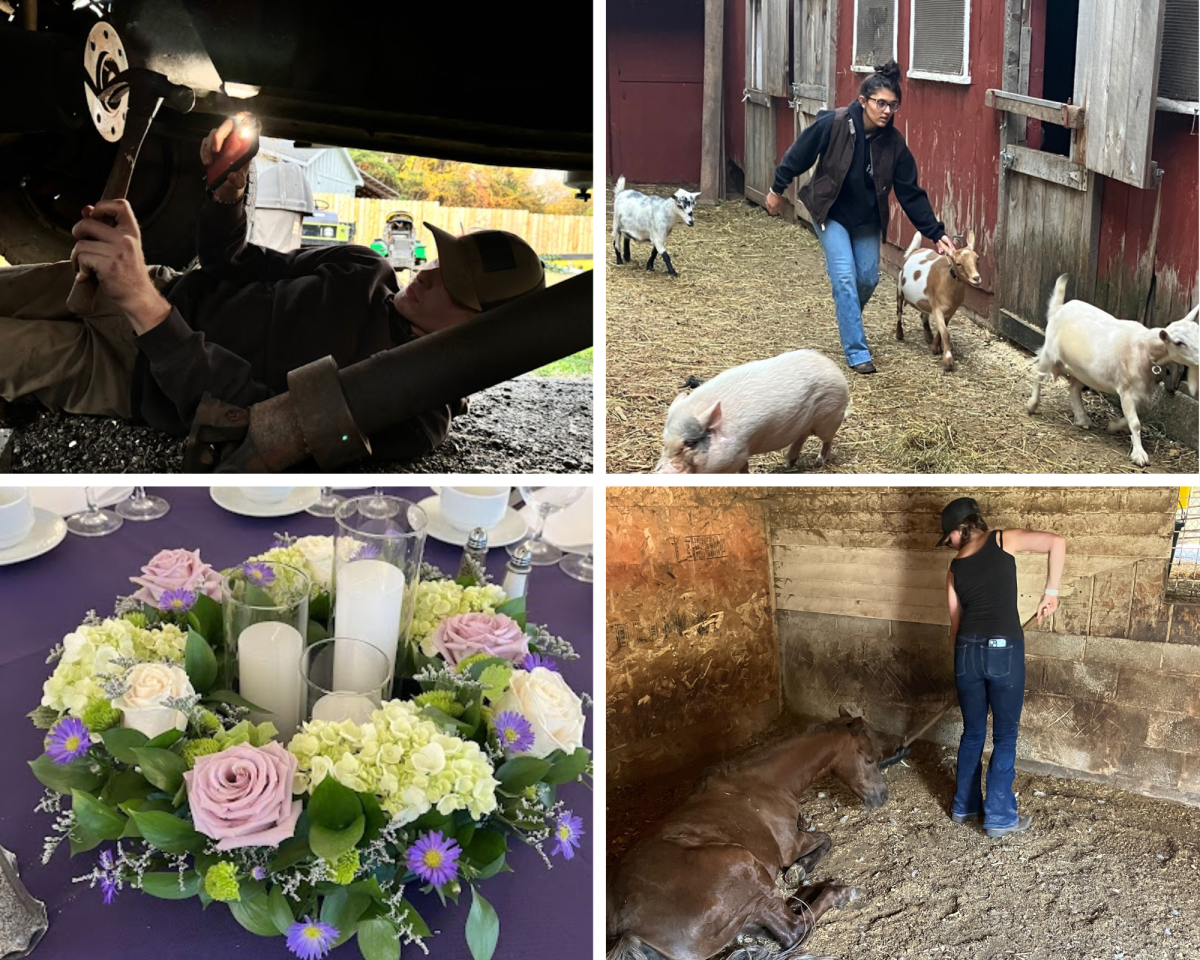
752	286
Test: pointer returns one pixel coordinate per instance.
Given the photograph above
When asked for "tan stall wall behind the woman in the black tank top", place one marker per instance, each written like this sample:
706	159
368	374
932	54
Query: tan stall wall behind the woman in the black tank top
1113	683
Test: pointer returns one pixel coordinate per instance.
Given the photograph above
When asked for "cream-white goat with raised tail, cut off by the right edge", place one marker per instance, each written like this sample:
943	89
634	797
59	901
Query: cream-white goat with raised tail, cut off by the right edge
1094	349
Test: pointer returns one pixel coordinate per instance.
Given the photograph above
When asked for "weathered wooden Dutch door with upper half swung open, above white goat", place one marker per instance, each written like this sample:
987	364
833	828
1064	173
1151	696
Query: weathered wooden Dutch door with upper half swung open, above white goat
1049	212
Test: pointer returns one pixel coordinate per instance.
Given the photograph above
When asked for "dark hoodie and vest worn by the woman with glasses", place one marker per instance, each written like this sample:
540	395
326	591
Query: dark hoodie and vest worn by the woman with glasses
850	188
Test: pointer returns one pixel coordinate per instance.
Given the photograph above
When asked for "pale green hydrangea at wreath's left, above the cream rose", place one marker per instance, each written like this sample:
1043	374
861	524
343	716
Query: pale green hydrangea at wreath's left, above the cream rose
88	657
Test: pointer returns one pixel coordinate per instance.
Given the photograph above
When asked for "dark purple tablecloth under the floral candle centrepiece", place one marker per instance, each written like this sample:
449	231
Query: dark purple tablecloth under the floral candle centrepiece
543	913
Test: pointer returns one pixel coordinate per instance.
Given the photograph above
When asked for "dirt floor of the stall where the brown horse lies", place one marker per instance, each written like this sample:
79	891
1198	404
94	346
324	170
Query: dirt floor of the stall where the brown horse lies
1102	875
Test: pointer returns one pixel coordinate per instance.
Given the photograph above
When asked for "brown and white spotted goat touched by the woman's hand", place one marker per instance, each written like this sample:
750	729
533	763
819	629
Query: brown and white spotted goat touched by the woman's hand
937	284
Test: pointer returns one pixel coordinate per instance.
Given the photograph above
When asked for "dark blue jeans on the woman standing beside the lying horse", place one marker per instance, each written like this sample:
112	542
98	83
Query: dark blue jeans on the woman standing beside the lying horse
989	673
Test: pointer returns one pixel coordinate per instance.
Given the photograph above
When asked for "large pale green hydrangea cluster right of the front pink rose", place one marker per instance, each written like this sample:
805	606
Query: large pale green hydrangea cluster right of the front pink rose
400	757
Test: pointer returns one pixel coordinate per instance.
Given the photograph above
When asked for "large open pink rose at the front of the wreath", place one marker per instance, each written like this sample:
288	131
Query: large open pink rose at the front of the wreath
243	796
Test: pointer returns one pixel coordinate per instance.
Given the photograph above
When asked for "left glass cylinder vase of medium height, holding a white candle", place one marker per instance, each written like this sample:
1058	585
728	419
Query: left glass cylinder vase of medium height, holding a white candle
267	625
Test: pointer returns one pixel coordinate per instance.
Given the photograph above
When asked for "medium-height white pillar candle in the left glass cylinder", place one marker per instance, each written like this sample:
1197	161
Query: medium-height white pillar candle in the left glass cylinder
269	674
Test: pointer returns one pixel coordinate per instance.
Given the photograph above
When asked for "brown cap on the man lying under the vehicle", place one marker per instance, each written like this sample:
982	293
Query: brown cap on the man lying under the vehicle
485	269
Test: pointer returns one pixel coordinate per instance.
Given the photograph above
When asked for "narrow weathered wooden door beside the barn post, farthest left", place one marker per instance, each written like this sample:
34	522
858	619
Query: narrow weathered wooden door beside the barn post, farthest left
767	71
